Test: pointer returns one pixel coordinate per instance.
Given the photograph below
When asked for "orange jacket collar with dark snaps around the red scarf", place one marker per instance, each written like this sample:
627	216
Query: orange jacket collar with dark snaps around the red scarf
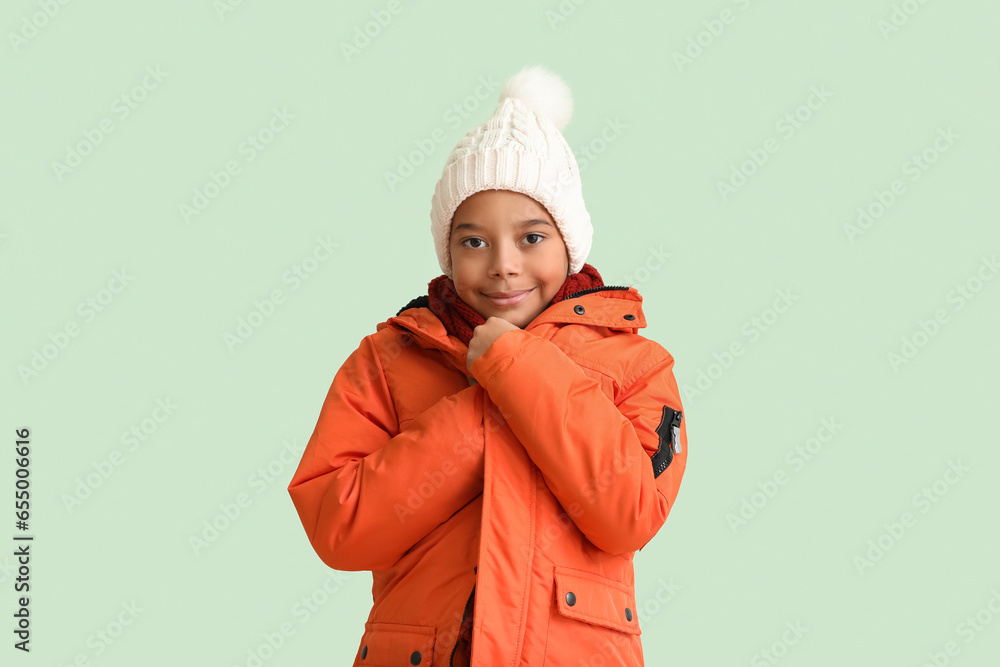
613	306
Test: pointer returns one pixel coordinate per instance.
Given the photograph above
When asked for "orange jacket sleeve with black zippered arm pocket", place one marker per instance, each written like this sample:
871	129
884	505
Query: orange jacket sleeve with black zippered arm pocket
596	455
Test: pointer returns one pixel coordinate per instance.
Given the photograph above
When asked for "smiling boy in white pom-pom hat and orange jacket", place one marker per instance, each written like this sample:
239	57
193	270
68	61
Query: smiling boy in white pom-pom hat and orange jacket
497	452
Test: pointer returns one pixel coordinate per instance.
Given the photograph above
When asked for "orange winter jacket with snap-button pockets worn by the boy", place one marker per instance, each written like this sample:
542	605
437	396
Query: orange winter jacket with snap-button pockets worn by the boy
522	496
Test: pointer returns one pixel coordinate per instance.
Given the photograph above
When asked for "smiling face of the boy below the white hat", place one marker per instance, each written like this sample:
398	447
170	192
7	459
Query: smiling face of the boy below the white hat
504	241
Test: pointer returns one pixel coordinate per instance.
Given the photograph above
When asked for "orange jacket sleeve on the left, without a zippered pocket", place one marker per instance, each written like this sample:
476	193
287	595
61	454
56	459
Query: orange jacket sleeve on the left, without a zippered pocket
366	493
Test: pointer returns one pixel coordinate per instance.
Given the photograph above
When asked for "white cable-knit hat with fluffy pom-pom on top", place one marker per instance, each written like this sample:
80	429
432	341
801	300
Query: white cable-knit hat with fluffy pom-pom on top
520	148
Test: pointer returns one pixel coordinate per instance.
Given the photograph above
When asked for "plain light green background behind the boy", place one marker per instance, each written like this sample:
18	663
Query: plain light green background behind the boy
652	189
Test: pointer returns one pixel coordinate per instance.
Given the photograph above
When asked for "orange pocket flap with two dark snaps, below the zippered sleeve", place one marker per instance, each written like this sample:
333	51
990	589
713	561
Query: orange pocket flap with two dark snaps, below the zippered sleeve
594	599
